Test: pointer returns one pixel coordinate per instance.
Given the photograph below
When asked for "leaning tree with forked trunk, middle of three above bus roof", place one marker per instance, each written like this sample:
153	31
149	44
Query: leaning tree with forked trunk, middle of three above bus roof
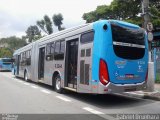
45	24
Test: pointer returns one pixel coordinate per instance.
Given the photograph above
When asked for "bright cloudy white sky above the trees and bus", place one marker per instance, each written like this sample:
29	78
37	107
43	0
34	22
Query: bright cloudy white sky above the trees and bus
17	15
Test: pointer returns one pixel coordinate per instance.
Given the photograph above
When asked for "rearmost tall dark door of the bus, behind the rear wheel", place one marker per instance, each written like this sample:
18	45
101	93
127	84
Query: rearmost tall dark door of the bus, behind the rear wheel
71	63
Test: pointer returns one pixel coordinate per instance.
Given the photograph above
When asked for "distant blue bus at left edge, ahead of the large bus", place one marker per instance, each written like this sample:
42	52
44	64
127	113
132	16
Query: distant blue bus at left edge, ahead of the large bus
6	64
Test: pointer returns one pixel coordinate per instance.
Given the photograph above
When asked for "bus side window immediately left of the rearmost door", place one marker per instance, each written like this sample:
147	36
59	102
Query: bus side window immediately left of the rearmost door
59	50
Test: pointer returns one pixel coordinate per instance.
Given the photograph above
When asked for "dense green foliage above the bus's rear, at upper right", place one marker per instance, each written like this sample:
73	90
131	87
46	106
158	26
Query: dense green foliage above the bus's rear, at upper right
127	10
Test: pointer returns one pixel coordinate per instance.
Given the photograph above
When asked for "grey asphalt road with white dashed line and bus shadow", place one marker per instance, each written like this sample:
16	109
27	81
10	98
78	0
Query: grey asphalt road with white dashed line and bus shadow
20	97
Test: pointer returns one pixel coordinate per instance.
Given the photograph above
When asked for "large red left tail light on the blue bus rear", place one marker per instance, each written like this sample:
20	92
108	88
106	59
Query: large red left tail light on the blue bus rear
103	72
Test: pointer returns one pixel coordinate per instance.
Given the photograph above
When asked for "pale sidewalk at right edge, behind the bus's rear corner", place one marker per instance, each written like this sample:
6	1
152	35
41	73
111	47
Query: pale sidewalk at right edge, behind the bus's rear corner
147	95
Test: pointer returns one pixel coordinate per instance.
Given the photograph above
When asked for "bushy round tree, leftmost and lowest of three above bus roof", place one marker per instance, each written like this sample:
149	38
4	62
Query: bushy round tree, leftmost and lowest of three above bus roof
33	33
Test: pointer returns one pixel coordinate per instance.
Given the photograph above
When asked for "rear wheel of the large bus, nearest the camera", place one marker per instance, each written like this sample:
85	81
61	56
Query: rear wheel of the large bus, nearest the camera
58	87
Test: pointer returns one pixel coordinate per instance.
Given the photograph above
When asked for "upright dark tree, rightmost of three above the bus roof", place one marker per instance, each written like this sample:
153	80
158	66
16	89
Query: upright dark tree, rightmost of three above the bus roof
57	20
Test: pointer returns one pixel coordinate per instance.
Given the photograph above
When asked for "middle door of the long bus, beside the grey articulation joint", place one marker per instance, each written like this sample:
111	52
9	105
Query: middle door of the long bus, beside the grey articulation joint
41	63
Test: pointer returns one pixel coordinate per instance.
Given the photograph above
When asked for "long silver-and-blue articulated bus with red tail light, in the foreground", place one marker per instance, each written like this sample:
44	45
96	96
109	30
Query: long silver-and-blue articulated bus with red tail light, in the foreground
105	56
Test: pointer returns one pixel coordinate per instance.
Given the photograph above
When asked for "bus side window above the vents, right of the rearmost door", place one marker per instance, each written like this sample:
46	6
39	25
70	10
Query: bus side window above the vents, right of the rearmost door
87	37
